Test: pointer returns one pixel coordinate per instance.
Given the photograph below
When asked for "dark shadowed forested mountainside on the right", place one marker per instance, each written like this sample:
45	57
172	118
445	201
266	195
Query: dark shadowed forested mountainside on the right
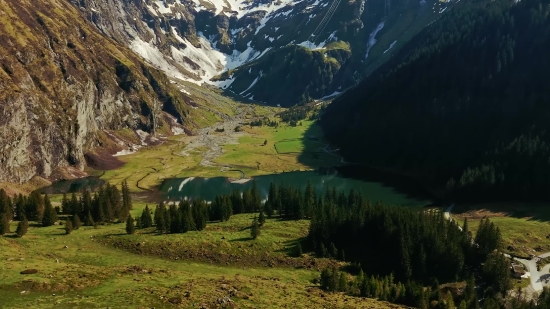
464	105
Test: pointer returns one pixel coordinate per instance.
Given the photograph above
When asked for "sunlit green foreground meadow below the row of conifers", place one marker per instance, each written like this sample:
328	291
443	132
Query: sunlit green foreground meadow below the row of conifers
86	270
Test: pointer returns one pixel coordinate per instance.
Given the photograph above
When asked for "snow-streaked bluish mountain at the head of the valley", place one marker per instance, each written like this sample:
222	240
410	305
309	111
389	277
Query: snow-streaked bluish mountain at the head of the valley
233	44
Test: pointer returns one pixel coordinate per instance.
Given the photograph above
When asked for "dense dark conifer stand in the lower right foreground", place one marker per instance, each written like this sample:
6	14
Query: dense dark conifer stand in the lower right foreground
404	250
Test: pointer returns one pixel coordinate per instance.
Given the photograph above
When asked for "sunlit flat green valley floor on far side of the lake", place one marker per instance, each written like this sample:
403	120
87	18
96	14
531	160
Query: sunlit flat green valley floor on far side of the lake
147	168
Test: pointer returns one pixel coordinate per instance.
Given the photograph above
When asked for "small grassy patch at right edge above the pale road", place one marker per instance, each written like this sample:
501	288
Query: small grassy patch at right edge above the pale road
525	228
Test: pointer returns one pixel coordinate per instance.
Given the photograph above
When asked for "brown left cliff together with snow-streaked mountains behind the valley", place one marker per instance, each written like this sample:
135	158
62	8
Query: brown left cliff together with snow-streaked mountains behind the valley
76	74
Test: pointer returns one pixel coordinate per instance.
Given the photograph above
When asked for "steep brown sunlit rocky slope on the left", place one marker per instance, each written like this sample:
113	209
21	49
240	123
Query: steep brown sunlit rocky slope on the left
62	84
